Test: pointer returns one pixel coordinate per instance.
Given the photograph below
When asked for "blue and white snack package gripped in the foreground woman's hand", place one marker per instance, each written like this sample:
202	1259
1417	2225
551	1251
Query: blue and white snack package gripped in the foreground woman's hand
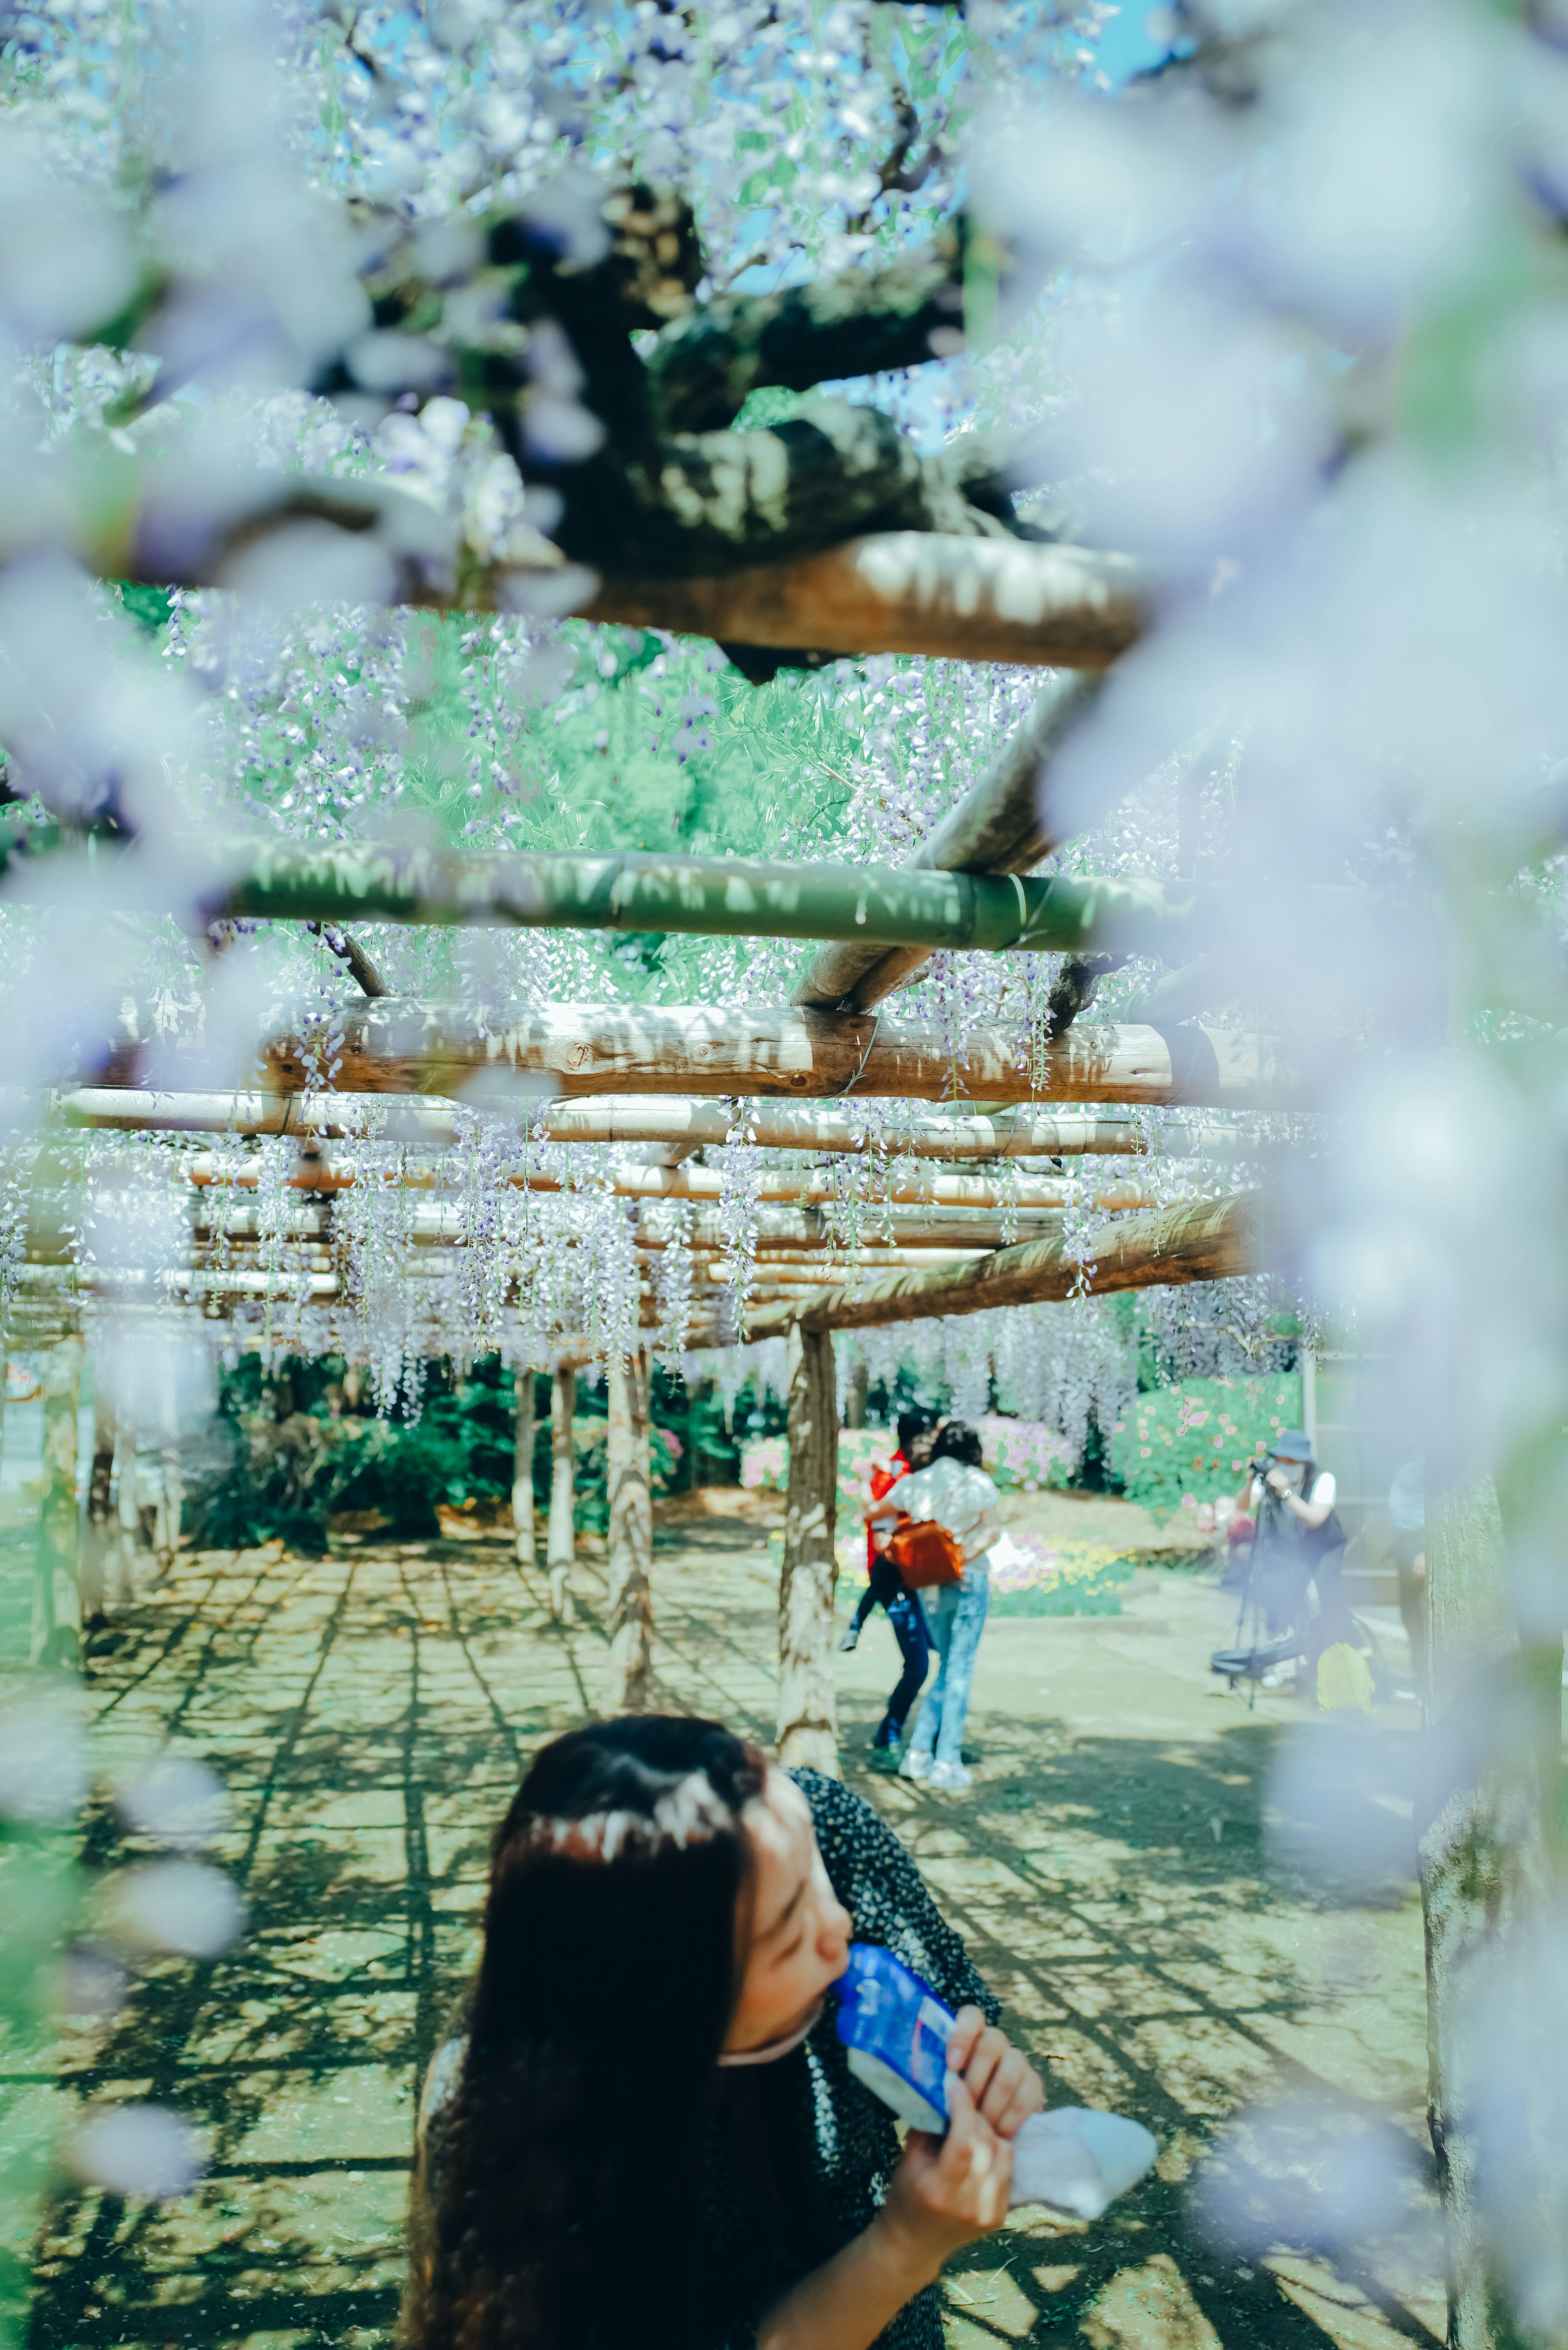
897	2036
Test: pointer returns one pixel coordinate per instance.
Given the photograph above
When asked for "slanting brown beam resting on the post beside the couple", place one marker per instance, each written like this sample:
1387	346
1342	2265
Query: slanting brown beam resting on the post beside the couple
1207	1242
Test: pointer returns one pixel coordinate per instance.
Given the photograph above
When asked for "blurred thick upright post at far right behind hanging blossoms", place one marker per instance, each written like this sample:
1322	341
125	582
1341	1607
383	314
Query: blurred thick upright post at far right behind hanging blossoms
1494	1768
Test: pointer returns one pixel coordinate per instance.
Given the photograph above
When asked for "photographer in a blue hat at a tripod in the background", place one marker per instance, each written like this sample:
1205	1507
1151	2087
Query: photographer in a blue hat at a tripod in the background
1299	1543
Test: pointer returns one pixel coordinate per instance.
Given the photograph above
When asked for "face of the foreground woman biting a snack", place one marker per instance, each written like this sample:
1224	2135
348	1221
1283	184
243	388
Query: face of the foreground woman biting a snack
798	1931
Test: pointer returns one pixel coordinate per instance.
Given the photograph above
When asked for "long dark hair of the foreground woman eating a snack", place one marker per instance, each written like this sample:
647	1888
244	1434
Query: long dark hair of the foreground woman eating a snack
561	2184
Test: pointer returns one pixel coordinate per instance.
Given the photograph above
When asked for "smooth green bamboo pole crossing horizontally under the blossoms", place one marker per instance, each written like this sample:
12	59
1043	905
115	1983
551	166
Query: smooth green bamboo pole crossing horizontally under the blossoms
873	906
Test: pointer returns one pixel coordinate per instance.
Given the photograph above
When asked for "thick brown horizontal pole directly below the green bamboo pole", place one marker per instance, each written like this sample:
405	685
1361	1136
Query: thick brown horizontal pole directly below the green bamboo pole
422	1047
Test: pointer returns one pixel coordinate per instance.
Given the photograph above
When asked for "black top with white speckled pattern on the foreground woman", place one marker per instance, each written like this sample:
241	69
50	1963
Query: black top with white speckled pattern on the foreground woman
845	2133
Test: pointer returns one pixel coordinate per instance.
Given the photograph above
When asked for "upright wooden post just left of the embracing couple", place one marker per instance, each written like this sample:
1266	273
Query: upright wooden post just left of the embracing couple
808	1700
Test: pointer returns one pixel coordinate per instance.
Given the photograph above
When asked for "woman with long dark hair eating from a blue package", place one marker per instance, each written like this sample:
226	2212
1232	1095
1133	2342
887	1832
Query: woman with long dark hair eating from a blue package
641	2128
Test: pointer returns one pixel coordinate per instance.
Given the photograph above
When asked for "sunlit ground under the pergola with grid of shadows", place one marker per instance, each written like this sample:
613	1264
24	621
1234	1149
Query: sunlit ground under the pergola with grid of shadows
370	1717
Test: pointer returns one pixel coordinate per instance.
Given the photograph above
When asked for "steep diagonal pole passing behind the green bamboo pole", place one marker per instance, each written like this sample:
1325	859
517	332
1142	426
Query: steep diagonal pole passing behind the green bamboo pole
996	831
